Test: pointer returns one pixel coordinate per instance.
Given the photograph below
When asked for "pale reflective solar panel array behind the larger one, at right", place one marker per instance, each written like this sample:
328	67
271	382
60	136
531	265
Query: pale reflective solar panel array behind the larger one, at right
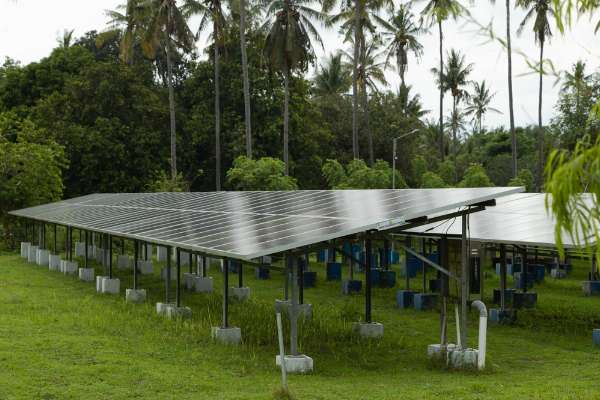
516	219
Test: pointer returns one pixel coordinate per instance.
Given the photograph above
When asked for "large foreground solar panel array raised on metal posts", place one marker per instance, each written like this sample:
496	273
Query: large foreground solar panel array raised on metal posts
247	225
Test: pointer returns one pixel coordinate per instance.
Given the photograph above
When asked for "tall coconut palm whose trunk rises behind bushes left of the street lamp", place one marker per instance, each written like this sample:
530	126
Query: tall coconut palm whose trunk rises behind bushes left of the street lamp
355	17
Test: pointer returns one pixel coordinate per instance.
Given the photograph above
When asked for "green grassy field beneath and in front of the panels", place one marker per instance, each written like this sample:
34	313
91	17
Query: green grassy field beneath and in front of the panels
59	339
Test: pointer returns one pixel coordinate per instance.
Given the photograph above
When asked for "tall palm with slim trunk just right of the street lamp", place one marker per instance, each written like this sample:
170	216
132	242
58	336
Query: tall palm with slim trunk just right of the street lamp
437	11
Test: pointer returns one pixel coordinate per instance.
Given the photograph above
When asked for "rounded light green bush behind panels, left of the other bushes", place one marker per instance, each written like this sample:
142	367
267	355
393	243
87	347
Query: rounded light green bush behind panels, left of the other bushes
266	173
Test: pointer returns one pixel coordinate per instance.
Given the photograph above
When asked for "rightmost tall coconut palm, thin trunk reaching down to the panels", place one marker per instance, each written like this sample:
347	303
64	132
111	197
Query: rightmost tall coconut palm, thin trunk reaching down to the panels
540	11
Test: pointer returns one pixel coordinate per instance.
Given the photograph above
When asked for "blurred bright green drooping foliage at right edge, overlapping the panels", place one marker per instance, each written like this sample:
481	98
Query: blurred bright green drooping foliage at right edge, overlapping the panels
568	175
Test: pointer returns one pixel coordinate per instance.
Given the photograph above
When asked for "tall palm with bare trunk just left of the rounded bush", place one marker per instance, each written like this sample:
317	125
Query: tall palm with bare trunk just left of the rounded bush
211	11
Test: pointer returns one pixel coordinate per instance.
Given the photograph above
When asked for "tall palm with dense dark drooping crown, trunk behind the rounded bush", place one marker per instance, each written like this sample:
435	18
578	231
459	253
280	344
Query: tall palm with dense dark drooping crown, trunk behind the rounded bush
288	47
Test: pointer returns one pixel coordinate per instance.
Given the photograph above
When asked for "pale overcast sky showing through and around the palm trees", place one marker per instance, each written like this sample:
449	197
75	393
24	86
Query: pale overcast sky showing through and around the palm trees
29	30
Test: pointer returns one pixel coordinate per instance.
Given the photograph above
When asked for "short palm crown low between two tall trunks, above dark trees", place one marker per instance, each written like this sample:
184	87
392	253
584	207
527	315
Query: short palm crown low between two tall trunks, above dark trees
333	78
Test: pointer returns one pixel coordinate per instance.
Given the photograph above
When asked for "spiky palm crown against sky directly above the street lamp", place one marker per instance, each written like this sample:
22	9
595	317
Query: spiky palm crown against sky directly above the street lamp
401	33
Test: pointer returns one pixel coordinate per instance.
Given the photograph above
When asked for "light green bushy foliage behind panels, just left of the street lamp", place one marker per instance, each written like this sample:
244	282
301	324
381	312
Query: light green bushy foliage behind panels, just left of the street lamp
357	175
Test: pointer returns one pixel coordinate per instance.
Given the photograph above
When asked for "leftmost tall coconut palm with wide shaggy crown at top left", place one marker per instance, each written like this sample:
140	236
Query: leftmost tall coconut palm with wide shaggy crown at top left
158	25
